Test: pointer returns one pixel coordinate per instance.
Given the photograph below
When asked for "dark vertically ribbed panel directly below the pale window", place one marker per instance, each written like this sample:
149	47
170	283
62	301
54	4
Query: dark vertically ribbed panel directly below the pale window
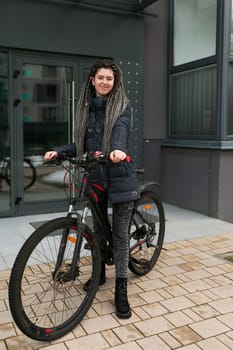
193	110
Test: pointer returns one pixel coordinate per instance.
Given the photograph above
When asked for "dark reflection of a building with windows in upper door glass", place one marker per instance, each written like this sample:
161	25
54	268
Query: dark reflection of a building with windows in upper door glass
44	100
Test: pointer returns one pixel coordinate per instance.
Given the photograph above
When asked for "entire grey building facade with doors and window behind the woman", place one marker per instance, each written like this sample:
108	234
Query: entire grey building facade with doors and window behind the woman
176	60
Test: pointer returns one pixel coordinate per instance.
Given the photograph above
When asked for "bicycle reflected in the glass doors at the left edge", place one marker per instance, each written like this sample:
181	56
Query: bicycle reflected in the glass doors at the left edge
29	172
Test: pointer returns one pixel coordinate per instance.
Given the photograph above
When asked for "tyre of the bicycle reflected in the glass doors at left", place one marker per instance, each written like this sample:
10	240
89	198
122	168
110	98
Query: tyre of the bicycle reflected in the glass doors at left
29	173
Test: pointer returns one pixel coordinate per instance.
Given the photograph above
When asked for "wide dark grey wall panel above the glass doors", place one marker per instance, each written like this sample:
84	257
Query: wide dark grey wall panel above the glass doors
70	29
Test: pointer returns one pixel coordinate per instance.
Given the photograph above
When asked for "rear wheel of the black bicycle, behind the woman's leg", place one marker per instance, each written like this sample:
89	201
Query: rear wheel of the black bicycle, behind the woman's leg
146	232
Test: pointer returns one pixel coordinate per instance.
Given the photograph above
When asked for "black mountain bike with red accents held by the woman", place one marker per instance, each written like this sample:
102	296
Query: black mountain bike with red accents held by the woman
46	289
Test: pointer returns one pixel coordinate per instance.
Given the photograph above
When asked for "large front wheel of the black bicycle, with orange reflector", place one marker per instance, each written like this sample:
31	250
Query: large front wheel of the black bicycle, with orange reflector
43	305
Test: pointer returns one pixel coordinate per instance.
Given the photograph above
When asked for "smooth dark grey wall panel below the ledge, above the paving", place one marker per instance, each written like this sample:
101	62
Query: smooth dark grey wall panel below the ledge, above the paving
186	178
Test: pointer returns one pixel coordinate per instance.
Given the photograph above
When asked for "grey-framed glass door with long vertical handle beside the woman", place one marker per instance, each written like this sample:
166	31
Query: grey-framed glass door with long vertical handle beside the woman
44	100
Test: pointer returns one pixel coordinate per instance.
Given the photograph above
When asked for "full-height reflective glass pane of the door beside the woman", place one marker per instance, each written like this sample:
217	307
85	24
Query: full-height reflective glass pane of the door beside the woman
45	115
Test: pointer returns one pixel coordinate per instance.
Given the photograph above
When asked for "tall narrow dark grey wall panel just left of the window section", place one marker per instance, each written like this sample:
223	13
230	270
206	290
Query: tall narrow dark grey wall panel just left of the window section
155	72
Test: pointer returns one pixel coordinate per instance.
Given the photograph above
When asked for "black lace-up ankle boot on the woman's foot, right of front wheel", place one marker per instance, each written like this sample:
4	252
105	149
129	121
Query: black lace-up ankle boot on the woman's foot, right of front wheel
121	299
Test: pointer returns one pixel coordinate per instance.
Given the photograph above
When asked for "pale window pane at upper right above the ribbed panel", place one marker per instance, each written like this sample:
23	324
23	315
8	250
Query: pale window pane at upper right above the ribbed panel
194	30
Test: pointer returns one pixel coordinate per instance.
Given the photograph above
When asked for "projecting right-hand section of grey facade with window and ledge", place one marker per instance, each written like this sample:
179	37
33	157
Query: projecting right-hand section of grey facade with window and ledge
197	153
